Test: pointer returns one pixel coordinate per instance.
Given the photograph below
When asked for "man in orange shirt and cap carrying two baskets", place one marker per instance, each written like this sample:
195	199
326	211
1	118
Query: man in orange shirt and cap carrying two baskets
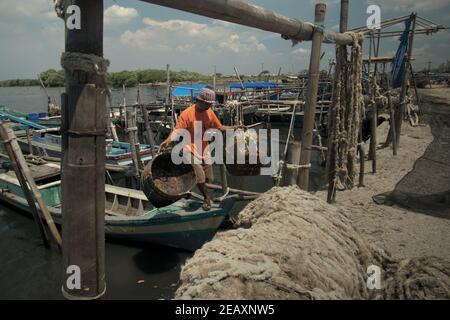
200	112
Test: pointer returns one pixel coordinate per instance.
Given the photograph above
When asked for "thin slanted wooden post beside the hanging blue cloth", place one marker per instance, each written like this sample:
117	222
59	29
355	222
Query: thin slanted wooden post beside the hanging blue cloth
403	92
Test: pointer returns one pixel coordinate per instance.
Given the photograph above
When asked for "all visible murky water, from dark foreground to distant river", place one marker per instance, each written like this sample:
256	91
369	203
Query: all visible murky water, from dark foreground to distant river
134	271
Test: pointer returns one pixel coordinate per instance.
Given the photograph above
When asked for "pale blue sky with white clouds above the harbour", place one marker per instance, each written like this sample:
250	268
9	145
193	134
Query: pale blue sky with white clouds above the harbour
138	35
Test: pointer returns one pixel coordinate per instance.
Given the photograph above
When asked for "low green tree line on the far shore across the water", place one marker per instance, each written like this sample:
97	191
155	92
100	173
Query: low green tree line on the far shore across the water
55	78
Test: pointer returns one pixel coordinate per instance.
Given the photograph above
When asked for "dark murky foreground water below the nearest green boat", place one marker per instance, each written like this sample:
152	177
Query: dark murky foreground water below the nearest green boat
30	271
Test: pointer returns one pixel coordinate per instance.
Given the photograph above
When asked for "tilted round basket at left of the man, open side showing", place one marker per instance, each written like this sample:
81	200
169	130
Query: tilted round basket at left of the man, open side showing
164	182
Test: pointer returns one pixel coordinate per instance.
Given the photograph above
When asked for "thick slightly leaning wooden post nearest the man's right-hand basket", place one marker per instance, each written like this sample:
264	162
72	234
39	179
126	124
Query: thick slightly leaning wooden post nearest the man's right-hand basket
311	98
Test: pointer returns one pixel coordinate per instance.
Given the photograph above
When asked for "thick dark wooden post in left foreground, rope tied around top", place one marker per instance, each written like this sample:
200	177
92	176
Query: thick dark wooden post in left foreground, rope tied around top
83	164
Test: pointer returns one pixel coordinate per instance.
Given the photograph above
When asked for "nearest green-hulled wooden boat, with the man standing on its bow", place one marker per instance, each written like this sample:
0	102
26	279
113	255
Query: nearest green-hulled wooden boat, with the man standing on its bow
128	214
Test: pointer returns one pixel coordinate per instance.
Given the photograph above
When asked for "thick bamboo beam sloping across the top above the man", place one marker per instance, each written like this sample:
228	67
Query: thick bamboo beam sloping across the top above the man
247	14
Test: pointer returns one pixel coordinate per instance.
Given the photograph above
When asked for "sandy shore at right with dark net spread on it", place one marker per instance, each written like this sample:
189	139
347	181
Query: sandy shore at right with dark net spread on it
420	171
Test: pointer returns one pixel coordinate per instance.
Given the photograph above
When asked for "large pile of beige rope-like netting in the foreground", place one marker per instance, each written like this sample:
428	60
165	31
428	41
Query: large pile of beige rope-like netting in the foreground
292	245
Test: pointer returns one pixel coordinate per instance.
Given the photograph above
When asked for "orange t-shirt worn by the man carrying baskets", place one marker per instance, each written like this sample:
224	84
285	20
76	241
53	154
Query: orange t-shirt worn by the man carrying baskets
208	120
